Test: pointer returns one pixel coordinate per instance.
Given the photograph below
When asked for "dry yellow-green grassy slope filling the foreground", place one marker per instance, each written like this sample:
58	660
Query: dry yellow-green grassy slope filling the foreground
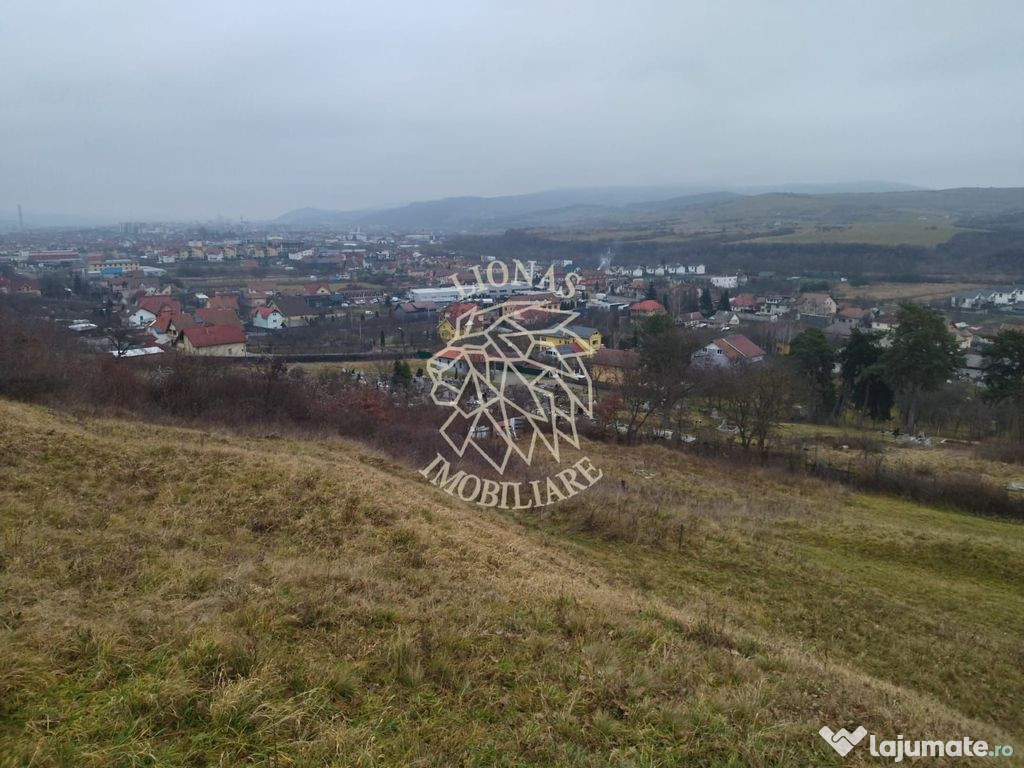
169	596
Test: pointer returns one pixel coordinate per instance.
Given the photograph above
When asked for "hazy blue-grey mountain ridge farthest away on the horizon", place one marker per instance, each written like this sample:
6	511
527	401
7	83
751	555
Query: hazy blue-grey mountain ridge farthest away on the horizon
694	209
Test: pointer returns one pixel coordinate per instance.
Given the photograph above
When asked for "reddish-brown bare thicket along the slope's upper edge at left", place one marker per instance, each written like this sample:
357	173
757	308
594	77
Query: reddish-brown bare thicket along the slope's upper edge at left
40	365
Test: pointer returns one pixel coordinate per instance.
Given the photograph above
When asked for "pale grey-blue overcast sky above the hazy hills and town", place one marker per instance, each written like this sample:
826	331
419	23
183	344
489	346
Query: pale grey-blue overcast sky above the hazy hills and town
179	110
